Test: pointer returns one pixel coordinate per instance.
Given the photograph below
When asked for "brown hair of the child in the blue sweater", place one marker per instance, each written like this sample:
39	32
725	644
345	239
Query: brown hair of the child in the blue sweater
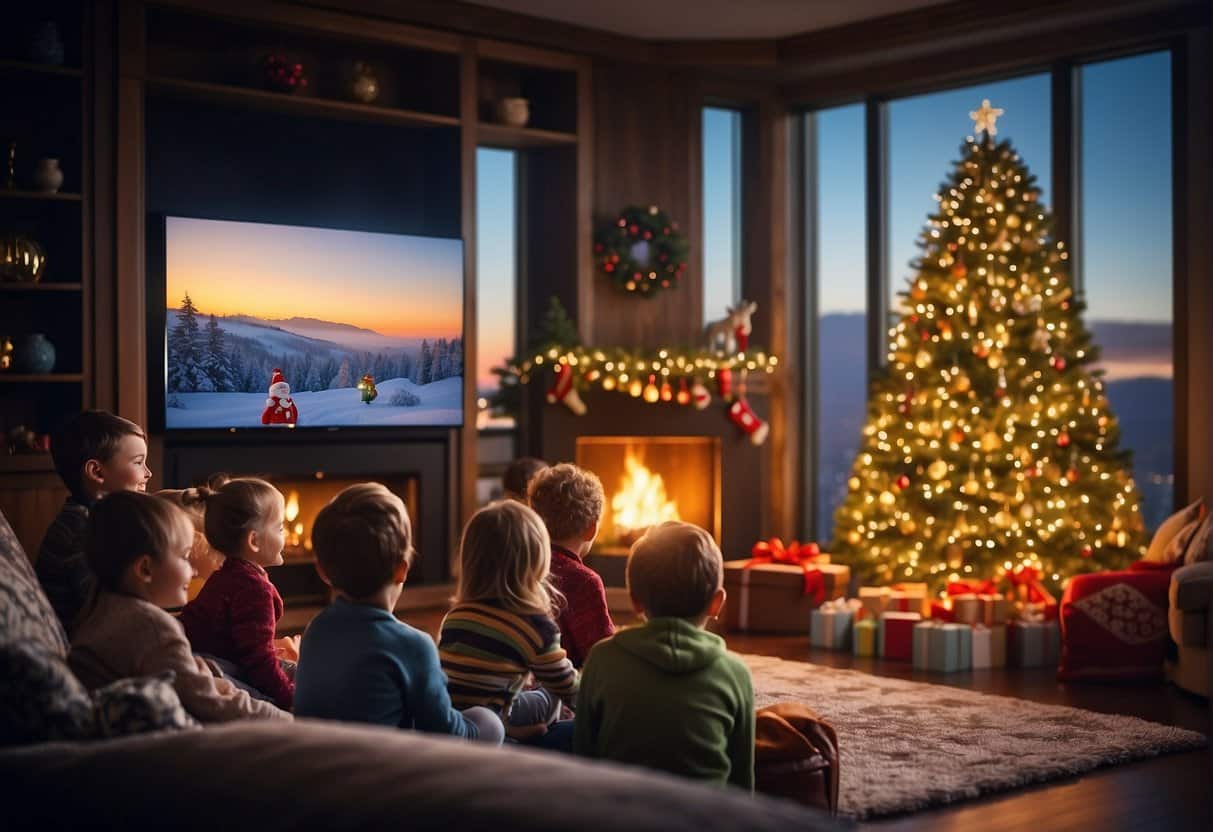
362	538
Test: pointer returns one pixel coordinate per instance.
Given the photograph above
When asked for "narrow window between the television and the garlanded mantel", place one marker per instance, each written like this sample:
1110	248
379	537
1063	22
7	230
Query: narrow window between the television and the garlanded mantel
497	284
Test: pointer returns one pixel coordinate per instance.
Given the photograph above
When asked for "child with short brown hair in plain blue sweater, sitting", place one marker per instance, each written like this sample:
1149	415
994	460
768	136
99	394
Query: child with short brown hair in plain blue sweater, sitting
357	662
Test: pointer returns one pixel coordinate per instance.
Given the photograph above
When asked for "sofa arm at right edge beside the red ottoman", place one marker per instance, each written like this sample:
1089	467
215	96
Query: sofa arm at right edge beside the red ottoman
1192	628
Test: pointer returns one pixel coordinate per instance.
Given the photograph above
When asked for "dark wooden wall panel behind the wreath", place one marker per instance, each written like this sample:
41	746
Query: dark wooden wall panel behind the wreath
646	153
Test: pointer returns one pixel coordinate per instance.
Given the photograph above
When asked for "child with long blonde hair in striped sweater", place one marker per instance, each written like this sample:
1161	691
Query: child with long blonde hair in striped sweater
500	630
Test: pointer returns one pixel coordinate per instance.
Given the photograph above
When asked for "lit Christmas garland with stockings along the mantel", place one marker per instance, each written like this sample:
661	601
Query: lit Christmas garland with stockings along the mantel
659	377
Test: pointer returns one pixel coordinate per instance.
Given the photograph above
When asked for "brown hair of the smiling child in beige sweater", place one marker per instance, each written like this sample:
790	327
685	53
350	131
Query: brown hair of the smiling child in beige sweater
127	526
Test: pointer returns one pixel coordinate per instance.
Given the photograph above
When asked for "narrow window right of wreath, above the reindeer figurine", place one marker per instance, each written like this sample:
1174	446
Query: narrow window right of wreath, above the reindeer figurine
722	210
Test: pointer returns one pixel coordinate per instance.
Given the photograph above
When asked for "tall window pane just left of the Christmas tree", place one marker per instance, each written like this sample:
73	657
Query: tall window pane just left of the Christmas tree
840	374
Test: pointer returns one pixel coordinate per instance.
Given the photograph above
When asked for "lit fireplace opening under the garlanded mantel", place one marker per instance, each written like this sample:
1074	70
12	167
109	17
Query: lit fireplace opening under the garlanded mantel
648	481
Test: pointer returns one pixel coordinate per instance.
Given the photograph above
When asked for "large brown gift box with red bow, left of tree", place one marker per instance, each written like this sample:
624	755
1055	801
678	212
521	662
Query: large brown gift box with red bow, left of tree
772	597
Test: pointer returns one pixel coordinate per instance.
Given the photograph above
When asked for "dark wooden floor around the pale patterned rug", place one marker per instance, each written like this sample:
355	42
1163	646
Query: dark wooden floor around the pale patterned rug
1172	794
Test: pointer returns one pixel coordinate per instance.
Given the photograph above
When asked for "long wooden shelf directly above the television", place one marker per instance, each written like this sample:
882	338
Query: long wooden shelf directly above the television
283	102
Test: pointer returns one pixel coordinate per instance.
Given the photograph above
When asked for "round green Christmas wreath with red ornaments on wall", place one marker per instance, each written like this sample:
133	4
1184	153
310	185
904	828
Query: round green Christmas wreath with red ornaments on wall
642	252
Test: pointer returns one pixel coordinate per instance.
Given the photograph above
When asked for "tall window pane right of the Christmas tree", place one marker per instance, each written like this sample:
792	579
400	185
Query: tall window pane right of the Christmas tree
1126	258
